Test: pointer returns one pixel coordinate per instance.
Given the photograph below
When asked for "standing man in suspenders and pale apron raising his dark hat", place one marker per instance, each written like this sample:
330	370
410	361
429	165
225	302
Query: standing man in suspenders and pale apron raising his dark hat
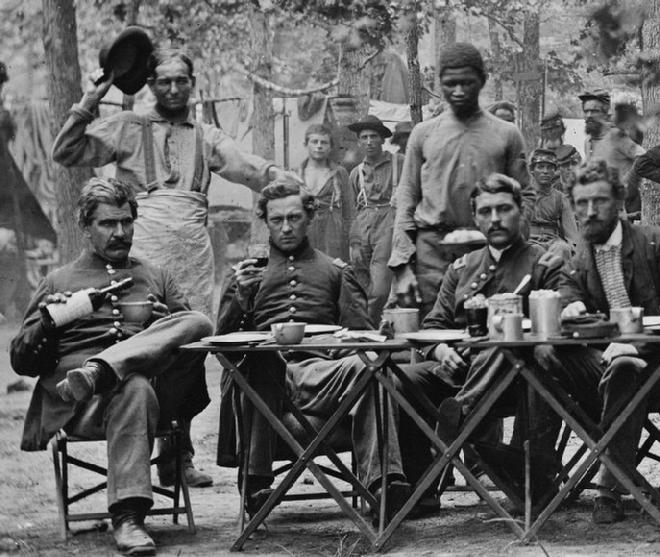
167	158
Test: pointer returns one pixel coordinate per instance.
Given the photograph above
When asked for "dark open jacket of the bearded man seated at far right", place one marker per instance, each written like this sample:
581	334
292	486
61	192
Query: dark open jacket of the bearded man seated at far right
640	254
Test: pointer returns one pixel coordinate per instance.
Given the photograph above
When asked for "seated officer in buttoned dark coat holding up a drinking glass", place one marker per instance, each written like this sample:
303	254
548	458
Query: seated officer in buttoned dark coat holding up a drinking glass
303	284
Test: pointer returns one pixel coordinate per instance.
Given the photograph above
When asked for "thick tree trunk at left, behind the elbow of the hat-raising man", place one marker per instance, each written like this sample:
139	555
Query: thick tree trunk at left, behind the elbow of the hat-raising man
61	50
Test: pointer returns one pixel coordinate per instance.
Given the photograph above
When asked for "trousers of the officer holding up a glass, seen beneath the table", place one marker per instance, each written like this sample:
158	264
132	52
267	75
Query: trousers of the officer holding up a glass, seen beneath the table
317	386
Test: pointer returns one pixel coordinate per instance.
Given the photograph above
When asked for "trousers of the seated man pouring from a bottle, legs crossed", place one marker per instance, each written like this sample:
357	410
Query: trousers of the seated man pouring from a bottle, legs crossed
155	383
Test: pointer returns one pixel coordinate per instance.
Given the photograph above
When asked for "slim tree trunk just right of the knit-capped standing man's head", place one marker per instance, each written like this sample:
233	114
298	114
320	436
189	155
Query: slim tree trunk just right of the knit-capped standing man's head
531	82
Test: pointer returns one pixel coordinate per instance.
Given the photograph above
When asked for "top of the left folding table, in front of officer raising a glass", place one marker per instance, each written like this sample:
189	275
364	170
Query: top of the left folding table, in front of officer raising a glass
309	346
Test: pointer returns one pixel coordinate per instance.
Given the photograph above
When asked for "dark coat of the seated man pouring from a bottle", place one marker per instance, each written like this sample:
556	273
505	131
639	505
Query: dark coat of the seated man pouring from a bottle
48	354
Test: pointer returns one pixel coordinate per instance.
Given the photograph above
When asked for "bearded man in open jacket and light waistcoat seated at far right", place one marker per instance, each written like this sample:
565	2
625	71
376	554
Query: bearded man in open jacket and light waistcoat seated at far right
616	266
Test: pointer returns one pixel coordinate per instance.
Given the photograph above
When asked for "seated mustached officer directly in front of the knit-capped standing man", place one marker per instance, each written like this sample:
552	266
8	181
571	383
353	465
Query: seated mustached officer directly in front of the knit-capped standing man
461	379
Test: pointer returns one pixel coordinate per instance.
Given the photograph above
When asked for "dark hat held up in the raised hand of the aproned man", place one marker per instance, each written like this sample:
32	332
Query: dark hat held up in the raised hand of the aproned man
127	58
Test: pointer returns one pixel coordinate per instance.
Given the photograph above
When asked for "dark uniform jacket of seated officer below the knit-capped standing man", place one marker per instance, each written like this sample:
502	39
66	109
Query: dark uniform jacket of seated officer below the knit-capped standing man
478	273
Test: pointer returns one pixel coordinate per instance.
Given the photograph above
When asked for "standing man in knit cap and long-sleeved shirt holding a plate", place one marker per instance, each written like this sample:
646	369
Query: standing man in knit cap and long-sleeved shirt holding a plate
446	157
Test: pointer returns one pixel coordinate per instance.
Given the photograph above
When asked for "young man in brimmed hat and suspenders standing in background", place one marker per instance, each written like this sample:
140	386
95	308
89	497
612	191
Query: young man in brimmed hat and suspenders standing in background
372	183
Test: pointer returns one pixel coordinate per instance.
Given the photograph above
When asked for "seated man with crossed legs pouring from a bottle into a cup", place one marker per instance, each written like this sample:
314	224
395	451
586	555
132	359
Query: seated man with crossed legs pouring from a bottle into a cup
94	371
